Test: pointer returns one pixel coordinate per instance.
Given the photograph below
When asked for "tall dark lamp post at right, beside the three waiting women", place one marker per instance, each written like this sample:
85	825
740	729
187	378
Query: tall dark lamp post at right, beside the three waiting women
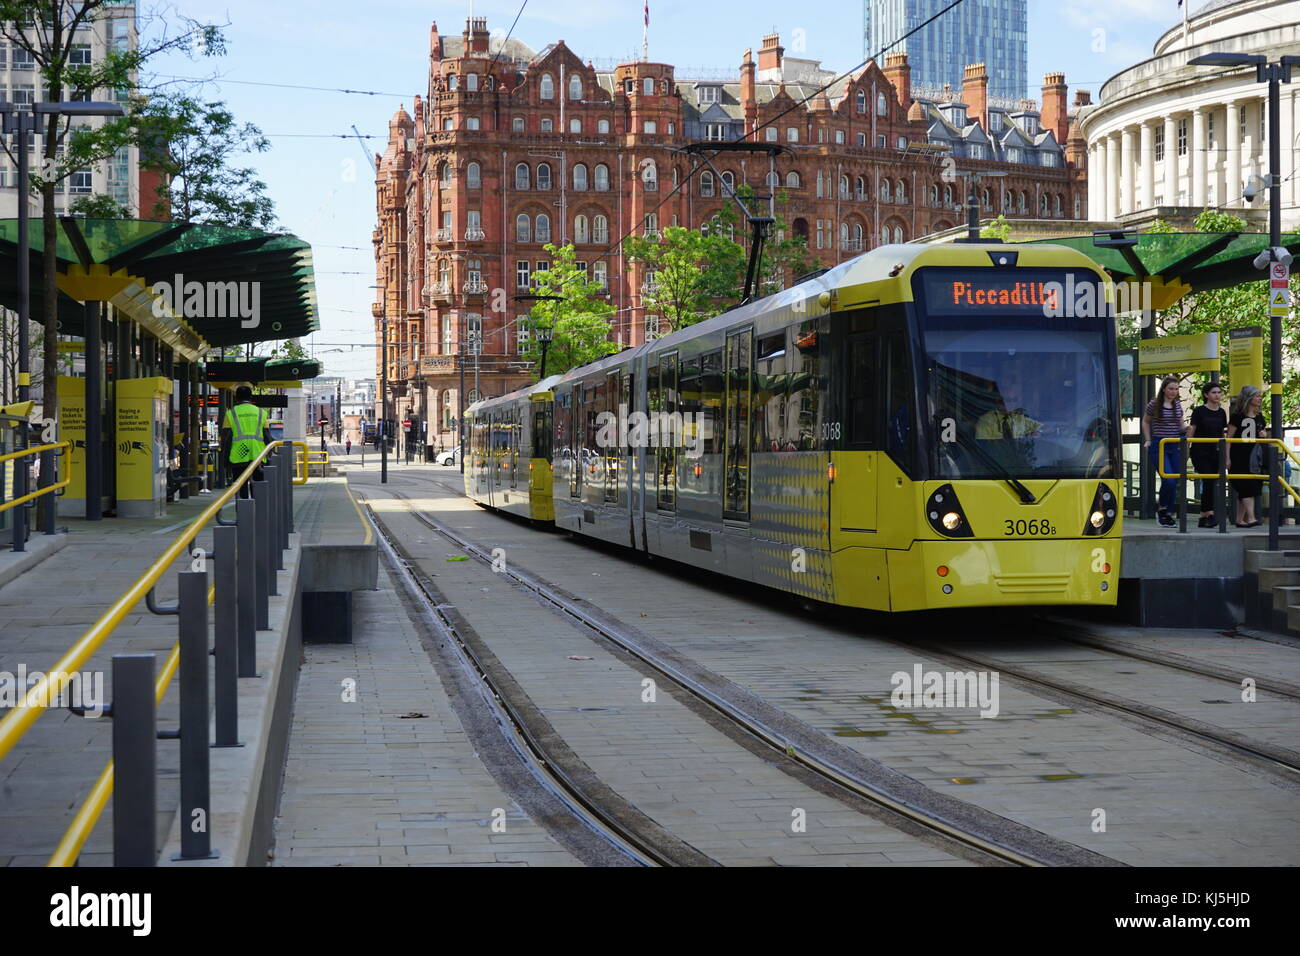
1275	75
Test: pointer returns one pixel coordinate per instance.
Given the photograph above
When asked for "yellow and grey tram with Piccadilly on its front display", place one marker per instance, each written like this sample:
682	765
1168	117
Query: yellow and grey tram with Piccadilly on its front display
920	427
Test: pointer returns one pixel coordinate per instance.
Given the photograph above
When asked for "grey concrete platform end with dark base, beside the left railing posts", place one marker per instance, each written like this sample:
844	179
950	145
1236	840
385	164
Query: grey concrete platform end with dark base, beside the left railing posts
340	556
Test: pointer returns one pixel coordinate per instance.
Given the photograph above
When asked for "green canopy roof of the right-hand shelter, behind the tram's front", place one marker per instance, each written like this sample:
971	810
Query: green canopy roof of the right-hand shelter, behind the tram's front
1201	261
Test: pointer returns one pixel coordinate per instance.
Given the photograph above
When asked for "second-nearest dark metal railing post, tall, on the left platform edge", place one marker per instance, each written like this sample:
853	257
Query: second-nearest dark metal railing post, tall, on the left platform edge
196	804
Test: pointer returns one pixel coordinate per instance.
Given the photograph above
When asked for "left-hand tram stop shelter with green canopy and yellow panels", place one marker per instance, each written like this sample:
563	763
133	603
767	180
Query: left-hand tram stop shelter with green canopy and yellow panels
140	305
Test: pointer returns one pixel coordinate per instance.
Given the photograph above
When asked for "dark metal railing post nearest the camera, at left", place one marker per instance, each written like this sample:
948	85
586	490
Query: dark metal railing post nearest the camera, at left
135	762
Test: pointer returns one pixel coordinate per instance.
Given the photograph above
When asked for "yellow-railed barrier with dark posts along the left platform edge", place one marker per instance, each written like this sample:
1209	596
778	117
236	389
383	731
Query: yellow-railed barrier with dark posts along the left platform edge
248	553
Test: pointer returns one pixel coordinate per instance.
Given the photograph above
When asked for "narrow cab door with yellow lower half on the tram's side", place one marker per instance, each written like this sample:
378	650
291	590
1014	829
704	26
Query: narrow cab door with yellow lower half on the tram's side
859	468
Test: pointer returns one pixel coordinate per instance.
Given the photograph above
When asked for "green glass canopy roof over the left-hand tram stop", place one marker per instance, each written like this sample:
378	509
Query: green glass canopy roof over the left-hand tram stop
280	265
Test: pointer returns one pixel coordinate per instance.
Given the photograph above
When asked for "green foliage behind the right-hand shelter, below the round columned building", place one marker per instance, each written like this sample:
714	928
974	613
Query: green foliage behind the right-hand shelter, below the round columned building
1221	310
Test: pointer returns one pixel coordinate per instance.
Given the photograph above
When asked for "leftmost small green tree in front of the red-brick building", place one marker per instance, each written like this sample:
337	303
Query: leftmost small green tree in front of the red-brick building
579	321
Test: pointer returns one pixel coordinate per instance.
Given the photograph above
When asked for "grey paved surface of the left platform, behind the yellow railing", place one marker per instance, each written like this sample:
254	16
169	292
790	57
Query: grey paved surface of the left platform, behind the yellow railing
49	607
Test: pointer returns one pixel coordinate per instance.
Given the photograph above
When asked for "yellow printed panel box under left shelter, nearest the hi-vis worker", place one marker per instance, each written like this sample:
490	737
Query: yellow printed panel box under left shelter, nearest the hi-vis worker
142	447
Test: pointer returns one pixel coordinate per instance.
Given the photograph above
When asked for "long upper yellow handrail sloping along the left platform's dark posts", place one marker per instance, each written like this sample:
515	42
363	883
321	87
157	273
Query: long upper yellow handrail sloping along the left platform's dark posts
19	721
